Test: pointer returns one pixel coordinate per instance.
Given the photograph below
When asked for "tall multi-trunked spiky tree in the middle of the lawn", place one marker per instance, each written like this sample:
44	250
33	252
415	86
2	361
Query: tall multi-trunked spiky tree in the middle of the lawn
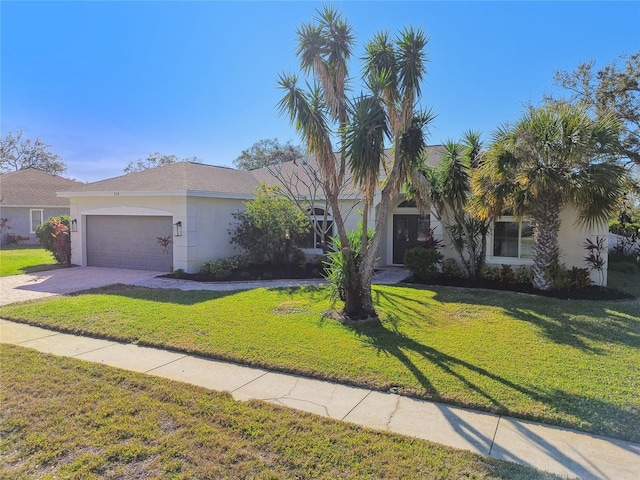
393	73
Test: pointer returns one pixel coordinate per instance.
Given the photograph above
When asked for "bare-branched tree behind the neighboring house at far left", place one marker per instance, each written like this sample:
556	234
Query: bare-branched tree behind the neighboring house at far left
17	154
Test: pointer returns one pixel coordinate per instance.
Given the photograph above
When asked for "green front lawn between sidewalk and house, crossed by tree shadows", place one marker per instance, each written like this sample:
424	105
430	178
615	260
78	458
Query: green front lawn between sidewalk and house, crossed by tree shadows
571	363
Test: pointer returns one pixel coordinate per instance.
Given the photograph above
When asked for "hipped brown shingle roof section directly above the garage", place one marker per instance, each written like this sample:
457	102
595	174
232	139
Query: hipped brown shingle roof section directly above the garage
180	176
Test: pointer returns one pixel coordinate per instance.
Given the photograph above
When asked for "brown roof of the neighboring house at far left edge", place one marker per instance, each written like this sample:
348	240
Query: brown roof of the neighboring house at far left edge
31	187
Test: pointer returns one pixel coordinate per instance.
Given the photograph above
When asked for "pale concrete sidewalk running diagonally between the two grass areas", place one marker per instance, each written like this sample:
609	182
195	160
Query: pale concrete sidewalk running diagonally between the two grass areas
557	450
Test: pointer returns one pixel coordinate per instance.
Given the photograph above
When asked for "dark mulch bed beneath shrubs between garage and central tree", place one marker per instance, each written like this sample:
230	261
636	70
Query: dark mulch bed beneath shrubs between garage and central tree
261	272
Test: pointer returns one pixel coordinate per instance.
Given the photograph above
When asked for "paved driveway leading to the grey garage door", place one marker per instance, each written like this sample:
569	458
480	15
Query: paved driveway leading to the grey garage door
18	288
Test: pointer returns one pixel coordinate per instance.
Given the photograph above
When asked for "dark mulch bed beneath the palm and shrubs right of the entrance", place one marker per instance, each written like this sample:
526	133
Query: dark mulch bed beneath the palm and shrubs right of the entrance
589	293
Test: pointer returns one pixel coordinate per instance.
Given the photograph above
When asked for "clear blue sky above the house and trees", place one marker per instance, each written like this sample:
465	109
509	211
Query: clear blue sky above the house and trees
106	83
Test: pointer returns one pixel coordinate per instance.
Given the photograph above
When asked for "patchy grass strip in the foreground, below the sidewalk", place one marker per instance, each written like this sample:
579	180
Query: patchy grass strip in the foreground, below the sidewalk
64	418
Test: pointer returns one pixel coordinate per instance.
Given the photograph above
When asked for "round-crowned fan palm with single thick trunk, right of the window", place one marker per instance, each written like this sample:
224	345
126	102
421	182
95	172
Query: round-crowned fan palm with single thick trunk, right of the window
553	156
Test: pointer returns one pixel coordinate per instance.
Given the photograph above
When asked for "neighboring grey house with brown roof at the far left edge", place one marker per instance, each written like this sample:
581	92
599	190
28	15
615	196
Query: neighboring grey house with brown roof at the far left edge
28	199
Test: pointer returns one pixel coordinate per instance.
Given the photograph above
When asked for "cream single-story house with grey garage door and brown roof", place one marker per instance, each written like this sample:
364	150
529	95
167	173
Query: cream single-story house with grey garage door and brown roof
118	221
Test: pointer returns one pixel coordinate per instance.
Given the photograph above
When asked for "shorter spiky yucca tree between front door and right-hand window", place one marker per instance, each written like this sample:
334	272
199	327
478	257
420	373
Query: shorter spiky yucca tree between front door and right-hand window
447	187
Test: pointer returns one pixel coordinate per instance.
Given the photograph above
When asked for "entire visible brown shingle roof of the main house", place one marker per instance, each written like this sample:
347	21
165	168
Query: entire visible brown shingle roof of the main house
203	179
